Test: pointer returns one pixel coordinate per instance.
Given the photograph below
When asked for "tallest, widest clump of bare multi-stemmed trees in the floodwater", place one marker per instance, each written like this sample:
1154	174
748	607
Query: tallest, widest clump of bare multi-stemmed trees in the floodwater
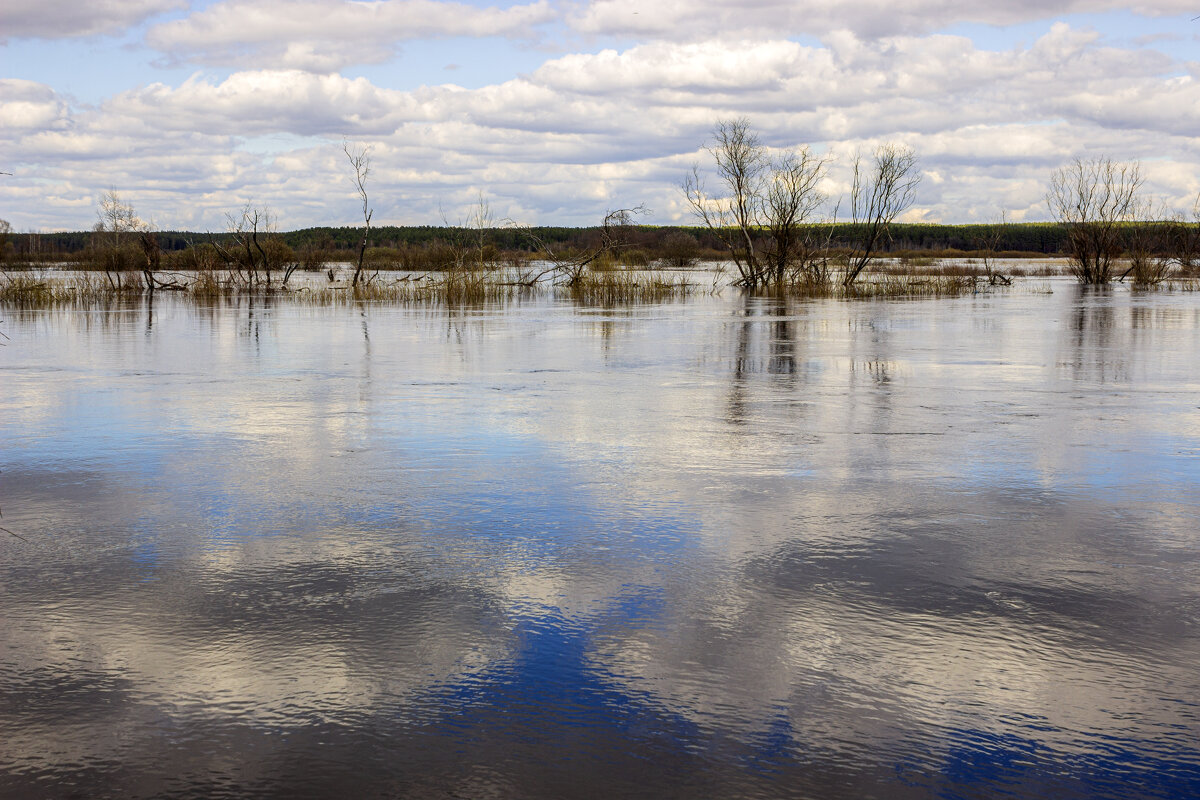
761	212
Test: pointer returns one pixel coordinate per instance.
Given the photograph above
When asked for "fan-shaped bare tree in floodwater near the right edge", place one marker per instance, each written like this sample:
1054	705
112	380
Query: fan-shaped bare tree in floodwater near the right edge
1091	199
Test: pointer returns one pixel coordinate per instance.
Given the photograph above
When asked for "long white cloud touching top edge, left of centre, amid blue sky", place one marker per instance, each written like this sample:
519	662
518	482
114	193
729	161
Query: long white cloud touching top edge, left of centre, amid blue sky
328	35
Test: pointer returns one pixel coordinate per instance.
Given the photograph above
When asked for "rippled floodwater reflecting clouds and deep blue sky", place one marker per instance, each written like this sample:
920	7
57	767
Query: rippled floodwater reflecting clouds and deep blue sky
725	548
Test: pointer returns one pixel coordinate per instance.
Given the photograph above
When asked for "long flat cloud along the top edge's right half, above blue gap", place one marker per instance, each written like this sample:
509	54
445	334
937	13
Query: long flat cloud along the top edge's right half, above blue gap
689	20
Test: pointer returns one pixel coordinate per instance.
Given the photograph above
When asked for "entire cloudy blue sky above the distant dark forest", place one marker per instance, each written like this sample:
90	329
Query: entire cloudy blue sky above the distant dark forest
556	112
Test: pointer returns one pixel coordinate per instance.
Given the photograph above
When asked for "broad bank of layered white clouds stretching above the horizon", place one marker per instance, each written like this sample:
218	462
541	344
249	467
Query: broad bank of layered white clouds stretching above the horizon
616	128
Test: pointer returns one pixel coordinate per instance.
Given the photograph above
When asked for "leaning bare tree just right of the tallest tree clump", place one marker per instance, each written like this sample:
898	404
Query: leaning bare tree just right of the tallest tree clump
879	194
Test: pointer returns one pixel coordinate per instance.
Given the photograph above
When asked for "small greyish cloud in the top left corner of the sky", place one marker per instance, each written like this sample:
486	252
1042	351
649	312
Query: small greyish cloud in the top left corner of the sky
68	19
